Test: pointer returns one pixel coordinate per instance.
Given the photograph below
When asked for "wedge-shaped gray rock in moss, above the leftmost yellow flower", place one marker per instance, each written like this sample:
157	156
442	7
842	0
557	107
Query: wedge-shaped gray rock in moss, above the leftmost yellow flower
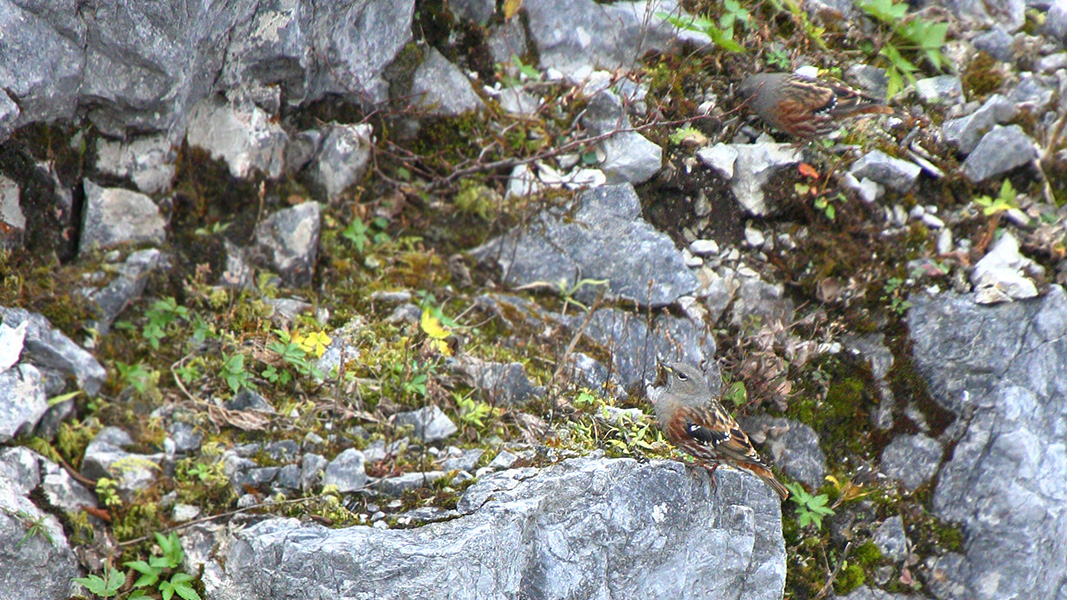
290	241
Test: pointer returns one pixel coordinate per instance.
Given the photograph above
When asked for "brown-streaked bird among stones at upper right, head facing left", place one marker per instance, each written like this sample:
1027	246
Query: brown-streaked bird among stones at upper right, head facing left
805	107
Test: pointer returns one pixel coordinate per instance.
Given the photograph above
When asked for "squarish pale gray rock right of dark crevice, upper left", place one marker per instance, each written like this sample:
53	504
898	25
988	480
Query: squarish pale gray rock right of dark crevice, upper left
115	216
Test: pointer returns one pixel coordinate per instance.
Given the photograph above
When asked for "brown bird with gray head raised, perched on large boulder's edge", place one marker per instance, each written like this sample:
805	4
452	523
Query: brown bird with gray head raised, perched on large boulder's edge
697	423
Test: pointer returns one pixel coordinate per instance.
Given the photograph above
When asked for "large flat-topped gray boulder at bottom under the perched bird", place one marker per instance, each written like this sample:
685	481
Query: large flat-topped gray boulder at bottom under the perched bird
583	529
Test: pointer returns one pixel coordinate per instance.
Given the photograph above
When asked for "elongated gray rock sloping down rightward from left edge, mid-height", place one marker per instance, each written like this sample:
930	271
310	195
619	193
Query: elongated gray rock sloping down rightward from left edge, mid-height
49	349
